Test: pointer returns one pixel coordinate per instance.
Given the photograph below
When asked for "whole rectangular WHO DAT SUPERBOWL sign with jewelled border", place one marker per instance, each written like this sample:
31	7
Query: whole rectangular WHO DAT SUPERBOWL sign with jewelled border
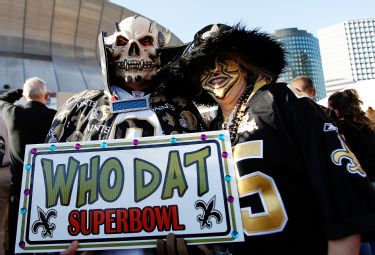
123	194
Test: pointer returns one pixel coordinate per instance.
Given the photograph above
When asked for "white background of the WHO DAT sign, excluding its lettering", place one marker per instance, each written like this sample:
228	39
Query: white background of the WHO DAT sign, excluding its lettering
156	151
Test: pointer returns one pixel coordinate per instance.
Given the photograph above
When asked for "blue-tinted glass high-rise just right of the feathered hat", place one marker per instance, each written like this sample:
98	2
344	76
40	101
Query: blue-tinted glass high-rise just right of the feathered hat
303	57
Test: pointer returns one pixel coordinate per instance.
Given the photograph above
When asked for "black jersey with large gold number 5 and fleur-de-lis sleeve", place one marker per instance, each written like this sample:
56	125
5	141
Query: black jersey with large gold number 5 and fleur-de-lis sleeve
299	184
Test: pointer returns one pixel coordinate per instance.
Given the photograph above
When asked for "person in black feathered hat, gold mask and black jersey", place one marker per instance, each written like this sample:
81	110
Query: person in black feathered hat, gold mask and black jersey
302	191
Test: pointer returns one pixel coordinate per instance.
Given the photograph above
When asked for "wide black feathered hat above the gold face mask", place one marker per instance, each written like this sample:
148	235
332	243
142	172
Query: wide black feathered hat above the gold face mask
256	48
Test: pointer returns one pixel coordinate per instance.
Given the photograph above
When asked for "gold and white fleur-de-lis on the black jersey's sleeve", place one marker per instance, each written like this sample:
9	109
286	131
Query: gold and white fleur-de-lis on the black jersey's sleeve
353	165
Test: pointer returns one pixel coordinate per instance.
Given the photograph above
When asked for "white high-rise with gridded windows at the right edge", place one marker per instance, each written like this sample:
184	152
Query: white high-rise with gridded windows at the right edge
348	53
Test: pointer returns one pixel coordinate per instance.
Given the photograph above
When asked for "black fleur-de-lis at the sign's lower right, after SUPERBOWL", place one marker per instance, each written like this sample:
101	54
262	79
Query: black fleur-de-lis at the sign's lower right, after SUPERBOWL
209	212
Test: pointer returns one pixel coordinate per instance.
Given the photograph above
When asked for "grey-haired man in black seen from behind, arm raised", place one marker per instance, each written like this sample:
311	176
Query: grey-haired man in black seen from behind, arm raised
26	124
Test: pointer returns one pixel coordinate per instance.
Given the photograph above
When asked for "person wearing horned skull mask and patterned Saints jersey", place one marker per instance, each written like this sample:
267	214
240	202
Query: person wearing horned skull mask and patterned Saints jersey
132	104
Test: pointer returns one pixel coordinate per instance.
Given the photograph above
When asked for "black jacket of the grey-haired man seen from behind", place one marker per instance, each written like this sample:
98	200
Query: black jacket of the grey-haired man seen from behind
26	124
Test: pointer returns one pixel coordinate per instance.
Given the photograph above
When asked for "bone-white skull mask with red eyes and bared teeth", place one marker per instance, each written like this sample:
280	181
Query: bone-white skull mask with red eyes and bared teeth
135	47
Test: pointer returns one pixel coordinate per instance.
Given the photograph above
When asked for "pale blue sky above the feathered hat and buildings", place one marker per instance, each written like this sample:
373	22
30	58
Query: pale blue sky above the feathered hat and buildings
185	17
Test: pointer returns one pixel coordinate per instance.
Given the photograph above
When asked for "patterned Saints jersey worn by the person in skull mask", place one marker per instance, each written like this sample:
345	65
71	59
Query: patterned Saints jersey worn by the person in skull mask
87	116
